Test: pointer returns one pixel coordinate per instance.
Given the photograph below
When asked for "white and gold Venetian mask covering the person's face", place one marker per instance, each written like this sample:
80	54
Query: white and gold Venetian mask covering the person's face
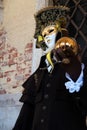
49	35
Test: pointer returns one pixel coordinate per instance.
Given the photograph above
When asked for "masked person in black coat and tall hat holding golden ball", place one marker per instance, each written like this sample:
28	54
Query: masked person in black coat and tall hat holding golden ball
55	95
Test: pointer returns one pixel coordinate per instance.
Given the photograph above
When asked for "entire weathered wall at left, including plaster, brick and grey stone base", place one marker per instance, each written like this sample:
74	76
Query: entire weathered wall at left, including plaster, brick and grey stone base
16	42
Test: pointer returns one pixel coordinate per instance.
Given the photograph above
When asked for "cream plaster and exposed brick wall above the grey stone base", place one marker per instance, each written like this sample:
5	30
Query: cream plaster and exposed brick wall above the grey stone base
16	53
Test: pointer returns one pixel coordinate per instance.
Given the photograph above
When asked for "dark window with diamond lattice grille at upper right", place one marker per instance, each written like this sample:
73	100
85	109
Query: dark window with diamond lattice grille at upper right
77	19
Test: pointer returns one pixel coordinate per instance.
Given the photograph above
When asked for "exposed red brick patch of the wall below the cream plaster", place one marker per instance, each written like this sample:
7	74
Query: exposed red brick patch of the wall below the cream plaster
15	67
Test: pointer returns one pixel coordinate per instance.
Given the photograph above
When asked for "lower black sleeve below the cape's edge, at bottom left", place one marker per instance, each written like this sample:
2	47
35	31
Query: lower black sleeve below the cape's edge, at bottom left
25	118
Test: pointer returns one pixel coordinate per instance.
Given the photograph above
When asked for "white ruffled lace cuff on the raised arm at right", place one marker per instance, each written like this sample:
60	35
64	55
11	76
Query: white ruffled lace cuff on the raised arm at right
74	86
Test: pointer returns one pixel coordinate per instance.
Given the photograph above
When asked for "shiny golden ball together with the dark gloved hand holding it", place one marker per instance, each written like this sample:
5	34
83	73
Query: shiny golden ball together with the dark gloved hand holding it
65	49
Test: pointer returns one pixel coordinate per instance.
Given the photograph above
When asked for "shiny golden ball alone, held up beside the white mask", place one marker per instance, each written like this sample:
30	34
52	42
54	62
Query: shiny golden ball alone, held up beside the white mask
69	46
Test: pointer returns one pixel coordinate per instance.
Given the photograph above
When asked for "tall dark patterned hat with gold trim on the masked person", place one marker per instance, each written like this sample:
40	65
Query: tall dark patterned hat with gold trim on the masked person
50	16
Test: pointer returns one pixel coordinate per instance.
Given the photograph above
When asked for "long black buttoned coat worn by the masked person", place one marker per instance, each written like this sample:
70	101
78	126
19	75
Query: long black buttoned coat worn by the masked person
48	105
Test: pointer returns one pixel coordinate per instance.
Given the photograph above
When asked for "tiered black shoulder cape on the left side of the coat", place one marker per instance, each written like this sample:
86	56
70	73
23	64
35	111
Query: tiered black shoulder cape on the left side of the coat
32	84
